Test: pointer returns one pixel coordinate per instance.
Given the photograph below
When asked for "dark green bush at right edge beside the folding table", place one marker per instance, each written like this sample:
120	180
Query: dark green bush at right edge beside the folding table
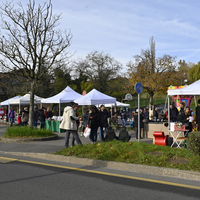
194	142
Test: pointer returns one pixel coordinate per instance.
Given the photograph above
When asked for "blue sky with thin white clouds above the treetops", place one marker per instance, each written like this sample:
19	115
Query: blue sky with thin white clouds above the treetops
123	28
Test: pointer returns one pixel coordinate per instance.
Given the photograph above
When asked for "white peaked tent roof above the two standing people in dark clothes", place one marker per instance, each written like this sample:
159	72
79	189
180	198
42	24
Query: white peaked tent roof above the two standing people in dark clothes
94	97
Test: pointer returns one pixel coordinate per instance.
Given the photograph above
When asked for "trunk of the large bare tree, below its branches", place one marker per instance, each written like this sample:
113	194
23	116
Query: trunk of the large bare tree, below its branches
31	107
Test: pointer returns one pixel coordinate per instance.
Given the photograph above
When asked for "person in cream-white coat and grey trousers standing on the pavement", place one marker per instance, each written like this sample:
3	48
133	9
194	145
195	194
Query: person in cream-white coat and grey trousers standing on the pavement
69	124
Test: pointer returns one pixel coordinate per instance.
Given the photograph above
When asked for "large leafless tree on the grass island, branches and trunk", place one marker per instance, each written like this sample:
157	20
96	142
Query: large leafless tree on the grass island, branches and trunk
31	42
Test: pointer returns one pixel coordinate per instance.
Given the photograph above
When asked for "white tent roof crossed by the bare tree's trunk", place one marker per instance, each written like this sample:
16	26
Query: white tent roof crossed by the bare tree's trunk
25	100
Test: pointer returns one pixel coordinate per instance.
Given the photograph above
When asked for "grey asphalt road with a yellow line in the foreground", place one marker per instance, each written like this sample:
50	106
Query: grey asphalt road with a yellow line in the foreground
23	178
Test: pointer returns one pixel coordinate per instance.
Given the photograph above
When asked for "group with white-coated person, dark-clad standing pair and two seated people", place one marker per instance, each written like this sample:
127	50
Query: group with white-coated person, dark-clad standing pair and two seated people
94	118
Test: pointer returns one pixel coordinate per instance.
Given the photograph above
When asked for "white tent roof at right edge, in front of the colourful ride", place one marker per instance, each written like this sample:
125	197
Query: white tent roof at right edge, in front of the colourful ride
192	89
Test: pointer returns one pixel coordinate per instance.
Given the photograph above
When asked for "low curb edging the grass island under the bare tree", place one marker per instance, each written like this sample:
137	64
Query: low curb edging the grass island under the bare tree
55	137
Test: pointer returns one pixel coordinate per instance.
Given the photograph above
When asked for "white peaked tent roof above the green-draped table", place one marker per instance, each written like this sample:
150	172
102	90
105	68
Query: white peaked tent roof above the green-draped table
65	96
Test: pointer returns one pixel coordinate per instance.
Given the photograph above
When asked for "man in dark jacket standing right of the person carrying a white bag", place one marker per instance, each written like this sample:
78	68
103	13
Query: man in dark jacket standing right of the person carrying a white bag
104	115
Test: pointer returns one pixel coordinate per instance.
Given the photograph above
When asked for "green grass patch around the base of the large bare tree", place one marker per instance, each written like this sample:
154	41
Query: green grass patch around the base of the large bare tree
26	132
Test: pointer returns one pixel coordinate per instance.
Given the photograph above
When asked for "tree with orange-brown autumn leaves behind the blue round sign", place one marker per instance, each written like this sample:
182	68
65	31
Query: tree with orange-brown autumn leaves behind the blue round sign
156	74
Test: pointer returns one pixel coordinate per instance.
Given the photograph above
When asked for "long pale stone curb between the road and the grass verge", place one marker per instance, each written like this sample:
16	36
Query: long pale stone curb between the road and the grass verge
160	171
